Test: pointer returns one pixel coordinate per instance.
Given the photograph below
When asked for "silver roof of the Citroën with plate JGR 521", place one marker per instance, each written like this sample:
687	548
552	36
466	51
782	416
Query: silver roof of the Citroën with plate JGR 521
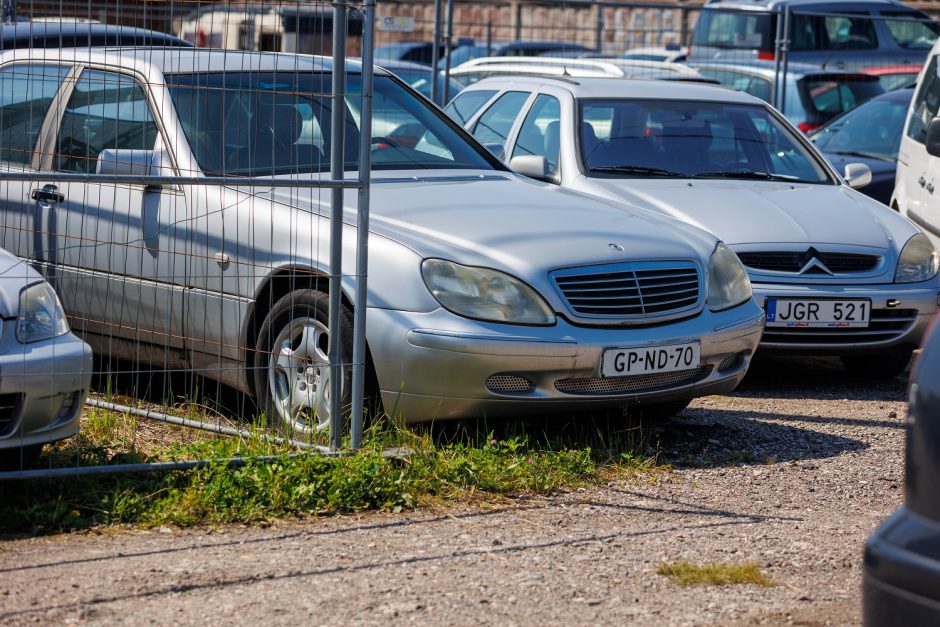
619	88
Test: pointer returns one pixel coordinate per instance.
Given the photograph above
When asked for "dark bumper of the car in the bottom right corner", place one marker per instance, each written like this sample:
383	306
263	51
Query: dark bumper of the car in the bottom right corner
901	584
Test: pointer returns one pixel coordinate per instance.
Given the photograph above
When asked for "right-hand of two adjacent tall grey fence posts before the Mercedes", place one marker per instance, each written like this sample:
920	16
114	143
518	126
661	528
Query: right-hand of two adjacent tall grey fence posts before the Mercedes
362	225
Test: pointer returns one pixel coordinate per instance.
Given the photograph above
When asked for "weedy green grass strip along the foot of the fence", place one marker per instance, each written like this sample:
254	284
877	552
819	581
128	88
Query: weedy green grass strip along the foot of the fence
440	464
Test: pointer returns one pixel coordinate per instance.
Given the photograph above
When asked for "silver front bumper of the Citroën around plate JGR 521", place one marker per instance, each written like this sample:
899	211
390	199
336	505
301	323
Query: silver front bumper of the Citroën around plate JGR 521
900	316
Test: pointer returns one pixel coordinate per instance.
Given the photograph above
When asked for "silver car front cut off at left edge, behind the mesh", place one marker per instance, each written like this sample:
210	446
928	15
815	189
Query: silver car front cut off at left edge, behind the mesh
46	370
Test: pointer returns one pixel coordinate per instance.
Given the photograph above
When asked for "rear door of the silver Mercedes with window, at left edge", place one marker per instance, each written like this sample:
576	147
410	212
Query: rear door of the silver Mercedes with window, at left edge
27	92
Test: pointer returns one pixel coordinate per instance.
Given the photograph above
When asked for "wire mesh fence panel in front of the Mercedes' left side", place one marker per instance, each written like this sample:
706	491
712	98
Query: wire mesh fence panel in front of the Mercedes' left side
181	231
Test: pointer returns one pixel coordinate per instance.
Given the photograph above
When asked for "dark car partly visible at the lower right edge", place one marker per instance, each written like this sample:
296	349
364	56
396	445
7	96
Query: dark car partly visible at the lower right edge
901	584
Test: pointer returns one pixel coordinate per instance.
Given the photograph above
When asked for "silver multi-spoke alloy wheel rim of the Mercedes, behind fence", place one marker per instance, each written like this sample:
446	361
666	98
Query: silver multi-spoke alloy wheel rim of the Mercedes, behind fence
299	375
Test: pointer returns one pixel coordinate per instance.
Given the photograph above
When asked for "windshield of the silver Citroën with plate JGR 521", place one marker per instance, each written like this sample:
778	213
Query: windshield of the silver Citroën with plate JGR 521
670	138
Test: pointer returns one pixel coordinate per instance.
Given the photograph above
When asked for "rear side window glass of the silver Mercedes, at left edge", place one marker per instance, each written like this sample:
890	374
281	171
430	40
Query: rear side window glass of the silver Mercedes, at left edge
26	91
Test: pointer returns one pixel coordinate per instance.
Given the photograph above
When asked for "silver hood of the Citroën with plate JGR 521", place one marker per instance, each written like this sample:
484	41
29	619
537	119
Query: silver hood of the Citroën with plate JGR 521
746	212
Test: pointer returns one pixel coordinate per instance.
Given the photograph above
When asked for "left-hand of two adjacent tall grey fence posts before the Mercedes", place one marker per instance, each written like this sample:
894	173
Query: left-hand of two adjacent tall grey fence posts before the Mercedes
338	123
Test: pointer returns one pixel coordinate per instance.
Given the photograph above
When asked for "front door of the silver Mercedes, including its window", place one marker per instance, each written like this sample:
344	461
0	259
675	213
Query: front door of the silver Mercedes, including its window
117	253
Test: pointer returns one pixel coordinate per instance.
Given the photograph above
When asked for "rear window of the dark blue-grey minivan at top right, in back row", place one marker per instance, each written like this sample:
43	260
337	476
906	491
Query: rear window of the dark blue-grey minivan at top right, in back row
735	29
